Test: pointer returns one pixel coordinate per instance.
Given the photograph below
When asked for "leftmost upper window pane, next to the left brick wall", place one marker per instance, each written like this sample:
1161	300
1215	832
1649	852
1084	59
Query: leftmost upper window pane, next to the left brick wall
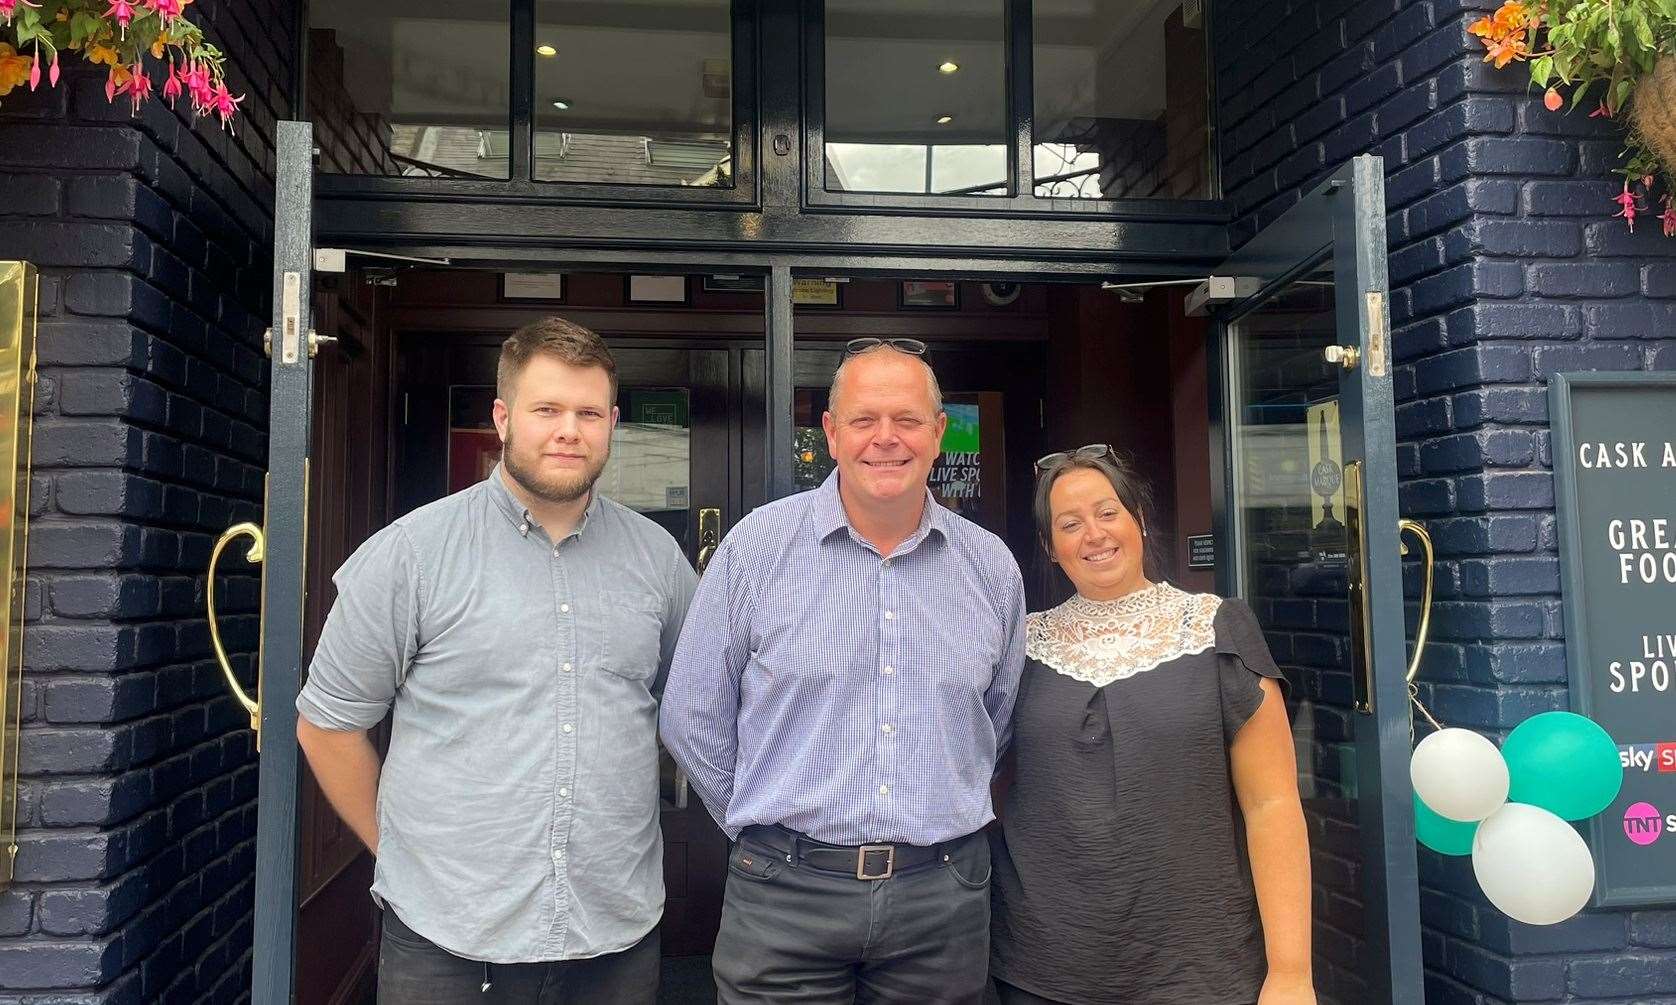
403	90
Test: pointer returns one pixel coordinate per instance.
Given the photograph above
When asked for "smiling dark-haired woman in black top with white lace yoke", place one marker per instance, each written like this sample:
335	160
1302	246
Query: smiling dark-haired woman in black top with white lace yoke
1152	843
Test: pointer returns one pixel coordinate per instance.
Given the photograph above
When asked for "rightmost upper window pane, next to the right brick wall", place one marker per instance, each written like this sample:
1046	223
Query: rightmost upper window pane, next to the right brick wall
1122	101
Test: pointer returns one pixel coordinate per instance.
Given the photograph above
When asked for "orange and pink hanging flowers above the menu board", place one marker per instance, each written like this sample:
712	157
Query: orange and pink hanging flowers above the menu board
1618	54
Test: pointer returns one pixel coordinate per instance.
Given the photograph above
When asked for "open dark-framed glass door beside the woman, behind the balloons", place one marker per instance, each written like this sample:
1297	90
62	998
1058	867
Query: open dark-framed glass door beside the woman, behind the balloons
1310	505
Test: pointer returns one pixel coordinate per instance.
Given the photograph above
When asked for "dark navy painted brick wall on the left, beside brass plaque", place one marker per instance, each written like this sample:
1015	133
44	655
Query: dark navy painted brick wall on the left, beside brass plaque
153	237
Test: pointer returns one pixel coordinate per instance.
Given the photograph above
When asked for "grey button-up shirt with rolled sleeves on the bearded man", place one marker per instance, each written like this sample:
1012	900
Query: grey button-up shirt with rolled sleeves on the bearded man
519	810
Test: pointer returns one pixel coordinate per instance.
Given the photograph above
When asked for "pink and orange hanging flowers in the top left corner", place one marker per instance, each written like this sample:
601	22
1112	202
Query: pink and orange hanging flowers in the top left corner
142	43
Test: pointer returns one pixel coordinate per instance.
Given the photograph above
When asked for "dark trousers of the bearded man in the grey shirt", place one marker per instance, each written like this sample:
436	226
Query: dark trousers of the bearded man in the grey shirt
413	971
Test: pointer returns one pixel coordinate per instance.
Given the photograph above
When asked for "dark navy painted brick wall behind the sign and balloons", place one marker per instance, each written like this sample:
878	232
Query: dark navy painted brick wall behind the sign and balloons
1506	269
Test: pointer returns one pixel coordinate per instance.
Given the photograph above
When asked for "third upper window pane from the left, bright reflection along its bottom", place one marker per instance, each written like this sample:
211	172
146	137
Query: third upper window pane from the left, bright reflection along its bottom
916	96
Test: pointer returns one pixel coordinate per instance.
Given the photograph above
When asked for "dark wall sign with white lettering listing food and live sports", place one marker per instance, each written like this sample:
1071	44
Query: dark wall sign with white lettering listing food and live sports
1615	468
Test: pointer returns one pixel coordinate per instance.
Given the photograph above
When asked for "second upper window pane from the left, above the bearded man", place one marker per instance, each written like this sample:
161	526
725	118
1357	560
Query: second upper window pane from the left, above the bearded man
634	93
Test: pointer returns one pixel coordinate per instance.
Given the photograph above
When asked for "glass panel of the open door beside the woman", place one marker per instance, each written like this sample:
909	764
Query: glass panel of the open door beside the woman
1291	554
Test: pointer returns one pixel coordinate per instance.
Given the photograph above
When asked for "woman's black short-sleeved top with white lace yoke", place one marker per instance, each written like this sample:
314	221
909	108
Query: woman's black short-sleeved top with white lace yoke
1120	868
